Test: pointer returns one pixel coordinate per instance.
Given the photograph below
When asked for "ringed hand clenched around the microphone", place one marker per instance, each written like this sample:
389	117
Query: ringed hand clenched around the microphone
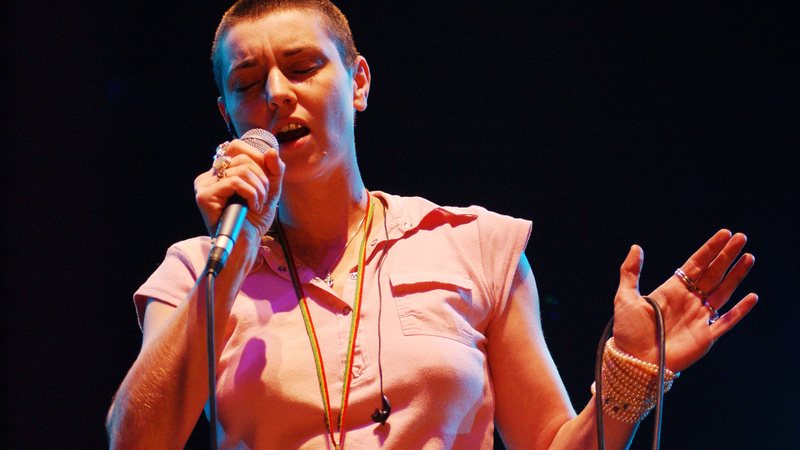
256	177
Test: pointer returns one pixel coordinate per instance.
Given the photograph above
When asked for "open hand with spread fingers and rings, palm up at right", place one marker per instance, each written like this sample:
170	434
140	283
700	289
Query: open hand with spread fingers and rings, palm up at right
689	303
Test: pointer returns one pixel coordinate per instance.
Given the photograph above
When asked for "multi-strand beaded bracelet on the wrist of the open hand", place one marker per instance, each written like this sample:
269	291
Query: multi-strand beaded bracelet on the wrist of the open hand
629	384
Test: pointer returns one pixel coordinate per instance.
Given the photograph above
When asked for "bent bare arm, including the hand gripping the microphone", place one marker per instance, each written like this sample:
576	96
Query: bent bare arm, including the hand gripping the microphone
162	396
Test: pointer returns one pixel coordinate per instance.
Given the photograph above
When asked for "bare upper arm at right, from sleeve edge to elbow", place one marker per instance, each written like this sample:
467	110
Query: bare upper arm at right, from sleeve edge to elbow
531	401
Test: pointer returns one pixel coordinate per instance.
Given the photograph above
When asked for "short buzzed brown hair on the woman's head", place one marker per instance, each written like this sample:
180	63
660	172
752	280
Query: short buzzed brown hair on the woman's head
247	10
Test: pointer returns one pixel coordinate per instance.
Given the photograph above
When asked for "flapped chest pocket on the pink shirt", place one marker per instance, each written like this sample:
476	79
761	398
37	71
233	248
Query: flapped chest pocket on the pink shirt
434	304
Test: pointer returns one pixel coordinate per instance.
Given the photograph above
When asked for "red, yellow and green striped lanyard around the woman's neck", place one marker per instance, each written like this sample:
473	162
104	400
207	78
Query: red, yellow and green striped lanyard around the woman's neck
312	334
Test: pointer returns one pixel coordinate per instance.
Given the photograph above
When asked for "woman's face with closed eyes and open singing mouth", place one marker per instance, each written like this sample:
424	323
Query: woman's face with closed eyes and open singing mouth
284	74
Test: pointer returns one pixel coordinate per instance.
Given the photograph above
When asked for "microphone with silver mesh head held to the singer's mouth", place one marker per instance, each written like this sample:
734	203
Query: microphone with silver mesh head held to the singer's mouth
235	211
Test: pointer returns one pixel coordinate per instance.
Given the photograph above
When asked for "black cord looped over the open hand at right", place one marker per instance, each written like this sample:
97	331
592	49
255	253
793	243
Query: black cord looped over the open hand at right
661	343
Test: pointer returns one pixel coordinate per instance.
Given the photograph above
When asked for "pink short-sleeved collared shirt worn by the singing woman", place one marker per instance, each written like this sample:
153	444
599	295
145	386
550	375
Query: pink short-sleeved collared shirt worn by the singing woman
445	277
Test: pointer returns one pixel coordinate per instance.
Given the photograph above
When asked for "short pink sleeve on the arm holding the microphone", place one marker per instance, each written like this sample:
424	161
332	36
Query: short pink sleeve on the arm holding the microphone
175	277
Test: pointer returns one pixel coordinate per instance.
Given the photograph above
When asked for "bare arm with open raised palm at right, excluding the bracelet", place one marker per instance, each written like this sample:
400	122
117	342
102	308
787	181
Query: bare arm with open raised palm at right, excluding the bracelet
533	408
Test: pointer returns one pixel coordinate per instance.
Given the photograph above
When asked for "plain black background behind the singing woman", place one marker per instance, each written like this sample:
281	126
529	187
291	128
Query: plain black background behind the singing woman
605	124
